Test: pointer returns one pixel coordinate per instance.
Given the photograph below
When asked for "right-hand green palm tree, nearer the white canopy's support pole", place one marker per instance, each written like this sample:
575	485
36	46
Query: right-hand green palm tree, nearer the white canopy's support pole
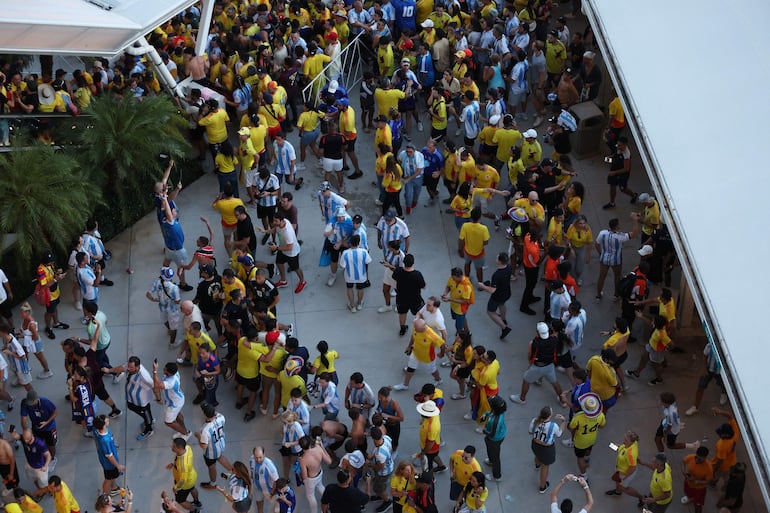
124	146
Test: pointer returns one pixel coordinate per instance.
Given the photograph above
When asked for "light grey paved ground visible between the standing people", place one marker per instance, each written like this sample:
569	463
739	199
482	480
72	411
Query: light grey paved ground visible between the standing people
368	342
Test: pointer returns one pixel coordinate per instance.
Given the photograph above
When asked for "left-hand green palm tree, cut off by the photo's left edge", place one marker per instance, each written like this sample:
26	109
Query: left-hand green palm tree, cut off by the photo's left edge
45	199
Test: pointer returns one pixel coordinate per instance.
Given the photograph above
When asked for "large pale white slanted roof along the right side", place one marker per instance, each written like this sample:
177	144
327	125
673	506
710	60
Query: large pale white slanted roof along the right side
694	89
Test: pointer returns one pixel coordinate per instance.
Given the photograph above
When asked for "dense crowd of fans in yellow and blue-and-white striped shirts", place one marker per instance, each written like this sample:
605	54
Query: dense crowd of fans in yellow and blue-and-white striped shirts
482	67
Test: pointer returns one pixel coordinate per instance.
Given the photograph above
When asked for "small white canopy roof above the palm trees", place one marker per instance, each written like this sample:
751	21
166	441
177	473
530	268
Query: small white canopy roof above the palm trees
79	27
